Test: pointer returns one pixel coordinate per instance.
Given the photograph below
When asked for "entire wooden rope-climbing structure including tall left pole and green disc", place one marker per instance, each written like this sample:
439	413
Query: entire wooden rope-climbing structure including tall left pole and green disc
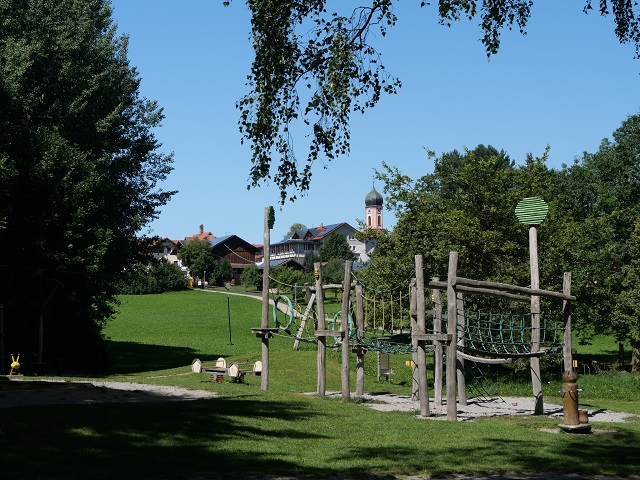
463	338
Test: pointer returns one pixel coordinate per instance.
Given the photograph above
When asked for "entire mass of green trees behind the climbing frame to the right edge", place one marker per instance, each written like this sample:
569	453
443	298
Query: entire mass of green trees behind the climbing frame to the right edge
468	205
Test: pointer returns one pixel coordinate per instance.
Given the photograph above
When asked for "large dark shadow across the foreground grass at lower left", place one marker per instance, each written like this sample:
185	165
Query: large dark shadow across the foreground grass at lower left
213	437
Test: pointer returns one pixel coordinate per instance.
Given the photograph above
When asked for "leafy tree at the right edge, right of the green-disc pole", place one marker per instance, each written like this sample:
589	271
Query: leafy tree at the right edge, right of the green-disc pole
599	200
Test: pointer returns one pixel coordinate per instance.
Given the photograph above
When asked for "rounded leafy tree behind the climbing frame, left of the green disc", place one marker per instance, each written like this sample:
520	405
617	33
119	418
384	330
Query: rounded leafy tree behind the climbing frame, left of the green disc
466	205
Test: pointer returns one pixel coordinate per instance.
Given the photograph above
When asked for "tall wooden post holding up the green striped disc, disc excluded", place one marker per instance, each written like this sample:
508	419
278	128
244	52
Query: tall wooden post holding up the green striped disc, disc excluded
535	323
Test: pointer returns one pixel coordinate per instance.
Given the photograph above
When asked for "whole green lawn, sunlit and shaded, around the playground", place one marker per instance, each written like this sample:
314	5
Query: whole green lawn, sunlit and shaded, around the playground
281	432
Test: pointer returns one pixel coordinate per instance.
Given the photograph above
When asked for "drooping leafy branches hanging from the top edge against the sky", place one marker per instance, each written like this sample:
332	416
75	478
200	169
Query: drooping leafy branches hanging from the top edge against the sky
317	66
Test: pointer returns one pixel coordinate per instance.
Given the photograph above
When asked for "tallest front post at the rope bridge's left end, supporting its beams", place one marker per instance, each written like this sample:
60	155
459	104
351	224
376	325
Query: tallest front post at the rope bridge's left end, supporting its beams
452	350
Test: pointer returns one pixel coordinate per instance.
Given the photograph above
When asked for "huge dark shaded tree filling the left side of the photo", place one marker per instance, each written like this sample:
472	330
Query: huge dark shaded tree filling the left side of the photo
79	173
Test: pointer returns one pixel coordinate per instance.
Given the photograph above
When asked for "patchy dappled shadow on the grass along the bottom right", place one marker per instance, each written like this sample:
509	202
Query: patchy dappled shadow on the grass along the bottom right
572	456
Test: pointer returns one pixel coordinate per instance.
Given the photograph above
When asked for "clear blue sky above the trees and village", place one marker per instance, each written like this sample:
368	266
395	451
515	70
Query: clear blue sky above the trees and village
568	84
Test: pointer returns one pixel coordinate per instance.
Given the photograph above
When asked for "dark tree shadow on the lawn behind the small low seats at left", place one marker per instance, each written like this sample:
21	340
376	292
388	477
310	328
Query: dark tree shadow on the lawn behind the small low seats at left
133	357
